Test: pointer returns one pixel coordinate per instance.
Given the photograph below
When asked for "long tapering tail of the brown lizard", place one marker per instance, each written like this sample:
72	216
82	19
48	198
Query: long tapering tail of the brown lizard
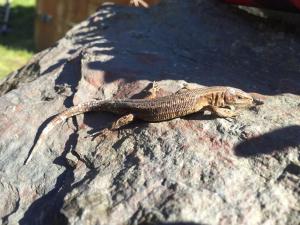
60	118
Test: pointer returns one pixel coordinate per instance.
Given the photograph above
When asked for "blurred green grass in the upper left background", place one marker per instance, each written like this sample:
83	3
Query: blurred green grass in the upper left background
17	46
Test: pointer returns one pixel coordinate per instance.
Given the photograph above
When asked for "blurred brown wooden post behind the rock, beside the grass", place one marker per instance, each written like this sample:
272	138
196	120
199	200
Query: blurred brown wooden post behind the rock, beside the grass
55	17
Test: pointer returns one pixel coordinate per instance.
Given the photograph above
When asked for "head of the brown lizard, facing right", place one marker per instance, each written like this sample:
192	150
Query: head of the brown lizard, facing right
237	97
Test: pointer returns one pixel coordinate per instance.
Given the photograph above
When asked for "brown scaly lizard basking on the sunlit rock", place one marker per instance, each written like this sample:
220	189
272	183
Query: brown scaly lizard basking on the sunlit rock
219	100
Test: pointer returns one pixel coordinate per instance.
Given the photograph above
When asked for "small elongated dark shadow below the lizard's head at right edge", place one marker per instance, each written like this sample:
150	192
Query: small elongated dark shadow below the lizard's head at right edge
274	141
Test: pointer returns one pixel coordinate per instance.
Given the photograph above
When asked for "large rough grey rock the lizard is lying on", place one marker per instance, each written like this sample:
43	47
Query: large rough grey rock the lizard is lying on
192	170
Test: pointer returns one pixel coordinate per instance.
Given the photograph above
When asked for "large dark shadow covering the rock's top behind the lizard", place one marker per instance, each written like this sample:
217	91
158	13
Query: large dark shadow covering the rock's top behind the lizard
253	64
